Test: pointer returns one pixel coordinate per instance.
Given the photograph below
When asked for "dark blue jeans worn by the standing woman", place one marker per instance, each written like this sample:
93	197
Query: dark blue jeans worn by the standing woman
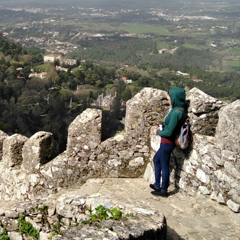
161	165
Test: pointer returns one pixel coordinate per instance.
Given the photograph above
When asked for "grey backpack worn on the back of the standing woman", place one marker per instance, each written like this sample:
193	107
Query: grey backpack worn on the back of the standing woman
182	139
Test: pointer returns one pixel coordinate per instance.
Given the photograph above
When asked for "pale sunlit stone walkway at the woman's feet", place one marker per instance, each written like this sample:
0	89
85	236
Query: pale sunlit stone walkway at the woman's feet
187	217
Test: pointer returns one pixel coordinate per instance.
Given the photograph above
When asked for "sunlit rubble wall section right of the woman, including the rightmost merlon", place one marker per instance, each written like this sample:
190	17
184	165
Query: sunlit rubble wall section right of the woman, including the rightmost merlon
213	167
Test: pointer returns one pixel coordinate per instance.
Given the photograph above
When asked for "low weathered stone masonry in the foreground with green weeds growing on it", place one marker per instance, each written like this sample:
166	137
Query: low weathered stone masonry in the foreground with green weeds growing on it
142	221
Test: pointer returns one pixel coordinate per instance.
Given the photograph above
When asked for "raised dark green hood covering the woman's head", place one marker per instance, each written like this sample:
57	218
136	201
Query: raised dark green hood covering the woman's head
178	97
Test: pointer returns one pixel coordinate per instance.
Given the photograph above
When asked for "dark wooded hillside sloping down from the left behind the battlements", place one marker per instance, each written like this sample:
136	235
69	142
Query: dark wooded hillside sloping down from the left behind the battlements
32	104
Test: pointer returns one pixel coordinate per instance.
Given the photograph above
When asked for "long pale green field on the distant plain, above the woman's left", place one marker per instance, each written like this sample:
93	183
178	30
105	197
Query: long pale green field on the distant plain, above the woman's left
144	29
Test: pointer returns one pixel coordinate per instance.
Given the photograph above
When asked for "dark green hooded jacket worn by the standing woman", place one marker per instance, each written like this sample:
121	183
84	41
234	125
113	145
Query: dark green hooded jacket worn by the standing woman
176	116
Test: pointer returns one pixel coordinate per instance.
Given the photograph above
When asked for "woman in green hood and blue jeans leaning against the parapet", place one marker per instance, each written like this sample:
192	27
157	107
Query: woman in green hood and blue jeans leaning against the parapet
172	124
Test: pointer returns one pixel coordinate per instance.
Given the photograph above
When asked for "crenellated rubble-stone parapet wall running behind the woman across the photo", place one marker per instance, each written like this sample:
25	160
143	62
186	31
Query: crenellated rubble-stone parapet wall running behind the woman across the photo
210	167
